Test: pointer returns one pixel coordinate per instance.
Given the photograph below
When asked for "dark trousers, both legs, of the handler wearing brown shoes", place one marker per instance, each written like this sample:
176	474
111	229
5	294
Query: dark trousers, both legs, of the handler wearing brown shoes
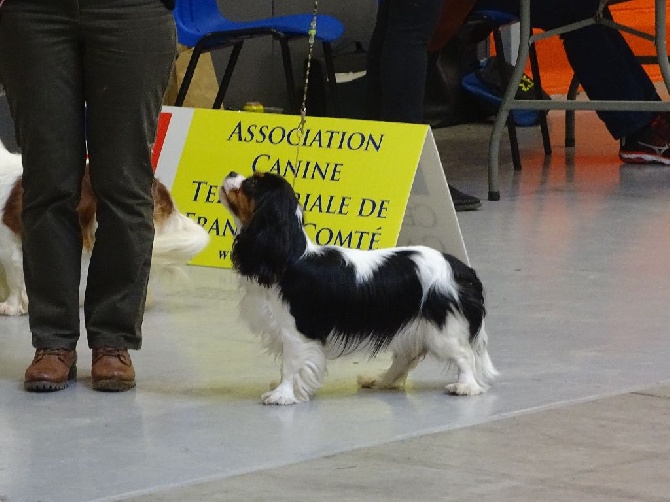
86	76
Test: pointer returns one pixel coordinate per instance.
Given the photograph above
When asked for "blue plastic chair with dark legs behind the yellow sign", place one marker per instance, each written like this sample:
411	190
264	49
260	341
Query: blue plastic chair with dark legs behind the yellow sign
201	25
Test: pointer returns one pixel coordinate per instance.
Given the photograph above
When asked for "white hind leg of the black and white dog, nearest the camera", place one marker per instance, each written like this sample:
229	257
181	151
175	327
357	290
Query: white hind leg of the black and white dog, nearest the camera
452	345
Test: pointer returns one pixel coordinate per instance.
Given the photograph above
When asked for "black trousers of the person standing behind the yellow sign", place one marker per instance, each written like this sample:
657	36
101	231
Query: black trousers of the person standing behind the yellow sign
397	59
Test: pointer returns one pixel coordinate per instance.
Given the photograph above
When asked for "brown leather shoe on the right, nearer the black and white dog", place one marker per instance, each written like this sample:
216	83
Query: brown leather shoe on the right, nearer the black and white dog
112	370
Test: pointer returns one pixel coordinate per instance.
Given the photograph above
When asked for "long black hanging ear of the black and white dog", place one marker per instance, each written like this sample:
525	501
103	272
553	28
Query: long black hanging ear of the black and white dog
272	239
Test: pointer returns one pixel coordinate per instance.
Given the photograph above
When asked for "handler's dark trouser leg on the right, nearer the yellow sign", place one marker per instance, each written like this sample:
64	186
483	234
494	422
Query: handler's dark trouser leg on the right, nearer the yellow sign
129	52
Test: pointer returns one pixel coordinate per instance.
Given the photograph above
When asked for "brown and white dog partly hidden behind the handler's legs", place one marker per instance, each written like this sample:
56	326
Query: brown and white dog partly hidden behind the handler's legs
177	239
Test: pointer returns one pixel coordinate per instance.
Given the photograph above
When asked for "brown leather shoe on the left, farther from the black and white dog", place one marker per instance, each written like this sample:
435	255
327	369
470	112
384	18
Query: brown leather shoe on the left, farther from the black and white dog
50	370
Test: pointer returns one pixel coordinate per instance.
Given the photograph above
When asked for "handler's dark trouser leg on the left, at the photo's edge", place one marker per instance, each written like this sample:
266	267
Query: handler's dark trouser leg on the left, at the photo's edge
40	64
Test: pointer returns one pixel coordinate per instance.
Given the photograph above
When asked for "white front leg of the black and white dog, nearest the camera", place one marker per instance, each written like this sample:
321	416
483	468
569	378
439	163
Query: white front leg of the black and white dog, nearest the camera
303	367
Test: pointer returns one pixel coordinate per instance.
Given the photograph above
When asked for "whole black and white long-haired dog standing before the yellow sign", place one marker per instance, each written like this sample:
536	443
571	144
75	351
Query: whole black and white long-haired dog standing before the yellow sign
311	303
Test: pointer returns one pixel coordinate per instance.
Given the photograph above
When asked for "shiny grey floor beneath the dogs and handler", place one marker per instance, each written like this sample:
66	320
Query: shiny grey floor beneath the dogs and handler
575	261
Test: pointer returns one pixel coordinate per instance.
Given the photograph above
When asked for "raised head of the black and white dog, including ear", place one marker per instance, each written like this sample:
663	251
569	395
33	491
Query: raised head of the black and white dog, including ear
270	227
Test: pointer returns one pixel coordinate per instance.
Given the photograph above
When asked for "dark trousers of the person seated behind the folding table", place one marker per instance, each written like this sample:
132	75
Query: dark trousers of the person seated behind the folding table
600	57
